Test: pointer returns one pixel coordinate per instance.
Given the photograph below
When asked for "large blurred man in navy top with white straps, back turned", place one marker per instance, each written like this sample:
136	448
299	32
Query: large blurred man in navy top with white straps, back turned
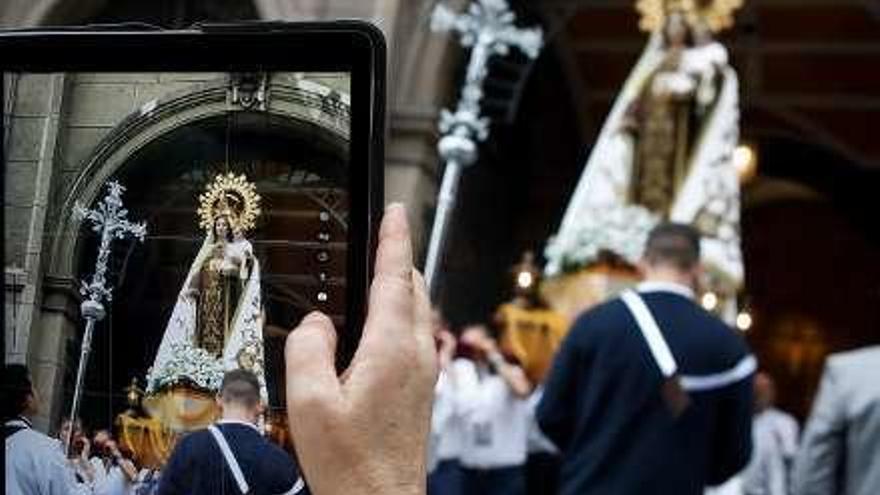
649	393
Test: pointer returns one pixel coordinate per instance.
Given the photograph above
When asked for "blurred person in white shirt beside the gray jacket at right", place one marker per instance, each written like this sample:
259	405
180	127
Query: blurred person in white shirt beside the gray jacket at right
775	439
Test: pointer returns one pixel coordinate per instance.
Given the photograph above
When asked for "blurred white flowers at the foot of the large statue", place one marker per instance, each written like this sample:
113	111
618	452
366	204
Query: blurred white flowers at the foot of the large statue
620	230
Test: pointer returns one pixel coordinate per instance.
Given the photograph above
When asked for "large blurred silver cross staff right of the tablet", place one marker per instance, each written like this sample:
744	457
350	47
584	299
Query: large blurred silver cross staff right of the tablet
488	28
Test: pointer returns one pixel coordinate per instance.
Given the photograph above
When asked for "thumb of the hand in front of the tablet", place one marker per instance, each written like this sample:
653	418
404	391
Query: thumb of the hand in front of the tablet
309	356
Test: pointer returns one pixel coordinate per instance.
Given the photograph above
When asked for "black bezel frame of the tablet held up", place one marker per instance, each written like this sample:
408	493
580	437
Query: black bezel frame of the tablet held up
342	46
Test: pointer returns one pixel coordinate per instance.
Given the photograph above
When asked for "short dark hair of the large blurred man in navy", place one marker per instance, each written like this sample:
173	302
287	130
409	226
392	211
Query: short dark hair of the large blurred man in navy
673	244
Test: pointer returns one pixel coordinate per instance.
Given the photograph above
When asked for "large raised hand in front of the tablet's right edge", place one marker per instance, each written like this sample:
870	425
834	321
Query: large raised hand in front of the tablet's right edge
366	431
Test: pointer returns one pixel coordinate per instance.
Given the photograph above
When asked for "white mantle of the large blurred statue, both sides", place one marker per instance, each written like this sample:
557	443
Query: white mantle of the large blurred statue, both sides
711	187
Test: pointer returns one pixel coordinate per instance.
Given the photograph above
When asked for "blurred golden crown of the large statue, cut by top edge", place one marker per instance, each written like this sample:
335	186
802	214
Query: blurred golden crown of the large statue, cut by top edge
717	15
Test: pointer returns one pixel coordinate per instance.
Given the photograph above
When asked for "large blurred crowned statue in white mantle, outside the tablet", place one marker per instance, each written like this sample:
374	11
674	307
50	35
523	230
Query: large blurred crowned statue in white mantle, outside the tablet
665	151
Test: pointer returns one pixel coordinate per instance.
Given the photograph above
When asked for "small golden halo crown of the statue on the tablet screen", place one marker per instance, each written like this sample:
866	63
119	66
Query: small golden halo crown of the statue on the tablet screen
233	197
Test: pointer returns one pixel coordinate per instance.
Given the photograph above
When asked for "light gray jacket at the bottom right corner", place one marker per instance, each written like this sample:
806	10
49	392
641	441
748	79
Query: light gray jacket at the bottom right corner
840	450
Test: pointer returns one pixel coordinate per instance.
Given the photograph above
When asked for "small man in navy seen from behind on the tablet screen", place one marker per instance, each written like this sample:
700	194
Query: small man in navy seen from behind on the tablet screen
231	456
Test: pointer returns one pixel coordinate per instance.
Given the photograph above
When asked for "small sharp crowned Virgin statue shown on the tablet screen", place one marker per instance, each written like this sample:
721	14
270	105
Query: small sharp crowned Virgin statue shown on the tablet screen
216	324
